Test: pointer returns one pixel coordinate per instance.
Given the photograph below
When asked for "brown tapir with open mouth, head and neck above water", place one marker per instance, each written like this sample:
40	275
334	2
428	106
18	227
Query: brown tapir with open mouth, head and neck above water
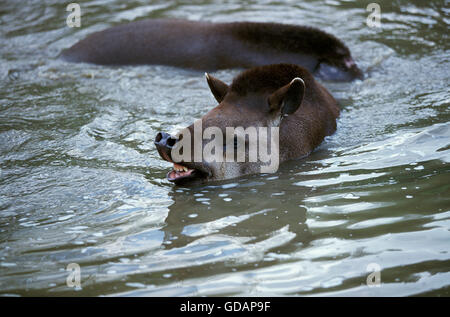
283	97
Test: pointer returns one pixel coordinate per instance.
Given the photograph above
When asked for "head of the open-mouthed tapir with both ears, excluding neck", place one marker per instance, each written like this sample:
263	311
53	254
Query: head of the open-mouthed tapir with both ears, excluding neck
240	136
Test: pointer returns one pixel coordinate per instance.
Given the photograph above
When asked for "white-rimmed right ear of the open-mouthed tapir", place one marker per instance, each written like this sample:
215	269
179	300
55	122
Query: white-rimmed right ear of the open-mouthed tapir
288	98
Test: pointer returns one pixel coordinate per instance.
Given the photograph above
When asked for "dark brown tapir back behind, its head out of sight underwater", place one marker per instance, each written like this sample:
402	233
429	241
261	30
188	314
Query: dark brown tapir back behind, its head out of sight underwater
211	46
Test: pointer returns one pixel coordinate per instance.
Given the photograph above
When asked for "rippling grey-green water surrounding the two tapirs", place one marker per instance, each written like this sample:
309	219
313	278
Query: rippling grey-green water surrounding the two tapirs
81	181
